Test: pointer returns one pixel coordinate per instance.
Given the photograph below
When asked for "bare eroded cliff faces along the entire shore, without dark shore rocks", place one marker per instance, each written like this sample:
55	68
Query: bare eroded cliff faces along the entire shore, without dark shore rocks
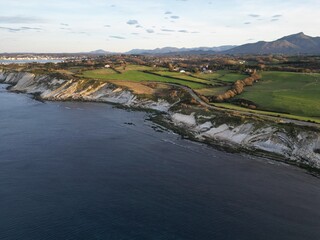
297	144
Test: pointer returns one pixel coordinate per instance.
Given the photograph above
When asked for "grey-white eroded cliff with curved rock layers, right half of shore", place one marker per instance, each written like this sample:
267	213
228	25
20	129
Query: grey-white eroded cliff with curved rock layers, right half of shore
296	144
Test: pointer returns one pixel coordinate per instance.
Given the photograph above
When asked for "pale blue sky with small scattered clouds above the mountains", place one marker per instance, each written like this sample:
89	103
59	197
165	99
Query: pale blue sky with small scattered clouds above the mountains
122	25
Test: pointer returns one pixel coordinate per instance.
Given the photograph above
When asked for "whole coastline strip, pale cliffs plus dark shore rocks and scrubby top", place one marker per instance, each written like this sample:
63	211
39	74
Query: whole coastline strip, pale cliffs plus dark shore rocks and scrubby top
297	145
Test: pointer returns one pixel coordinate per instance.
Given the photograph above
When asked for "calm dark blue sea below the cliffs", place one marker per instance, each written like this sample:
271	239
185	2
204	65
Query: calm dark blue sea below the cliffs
90	171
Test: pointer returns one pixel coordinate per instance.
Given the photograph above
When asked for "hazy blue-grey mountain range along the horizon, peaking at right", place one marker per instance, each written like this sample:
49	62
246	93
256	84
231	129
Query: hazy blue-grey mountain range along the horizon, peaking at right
291	45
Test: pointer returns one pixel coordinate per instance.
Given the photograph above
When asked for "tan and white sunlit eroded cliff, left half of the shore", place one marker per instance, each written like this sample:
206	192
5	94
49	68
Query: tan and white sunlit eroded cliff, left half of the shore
50	88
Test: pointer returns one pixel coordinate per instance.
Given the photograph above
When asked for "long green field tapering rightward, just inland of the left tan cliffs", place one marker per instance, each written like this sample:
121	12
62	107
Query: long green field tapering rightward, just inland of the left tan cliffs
137	76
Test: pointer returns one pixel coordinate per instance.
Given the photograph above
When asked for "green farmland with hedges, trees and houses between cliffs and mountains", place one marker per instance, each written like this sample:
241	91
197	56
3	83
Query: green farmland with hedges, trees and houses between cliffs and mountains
242	83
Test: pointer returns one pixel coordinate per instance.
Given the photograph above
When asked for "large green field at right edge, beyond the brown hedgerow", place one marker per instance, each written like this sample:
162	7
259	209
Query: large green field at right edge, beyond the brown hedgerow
286	92
